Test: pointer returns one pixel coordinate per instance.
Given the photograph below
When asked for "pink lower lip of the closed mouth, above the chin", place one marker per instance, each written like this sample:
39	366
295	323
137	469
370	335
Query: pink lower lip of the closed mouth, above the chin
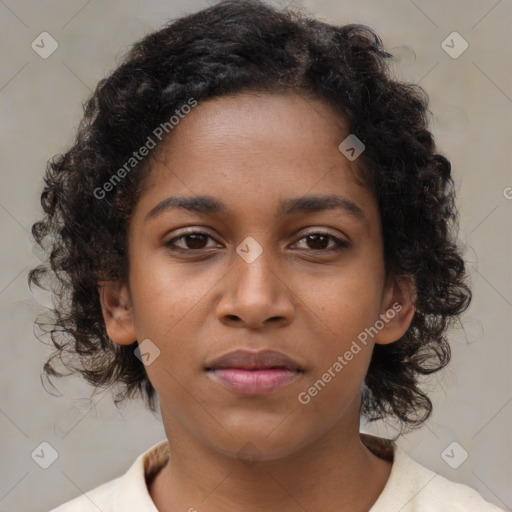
254	382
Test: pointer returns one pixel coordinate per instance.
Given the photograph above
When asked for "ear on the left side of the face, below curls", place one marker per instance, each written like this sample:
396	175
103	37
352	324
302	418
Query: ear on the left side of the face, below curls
117	312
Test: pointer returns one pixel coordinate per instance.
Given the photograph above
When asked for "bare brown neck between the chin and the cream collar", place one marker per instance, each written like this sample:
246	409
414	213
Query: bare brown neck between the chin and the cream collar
336	472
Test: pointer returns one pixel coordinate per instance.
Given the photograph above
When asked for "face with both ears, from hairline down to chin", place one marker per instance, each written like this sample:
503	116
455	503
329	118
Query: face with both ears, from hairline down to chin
256	267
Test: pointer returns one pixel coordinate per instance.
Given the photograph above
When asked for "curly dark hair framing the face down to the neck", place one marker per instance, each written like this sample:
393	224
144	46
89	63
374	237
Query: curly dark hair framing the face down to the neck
247	45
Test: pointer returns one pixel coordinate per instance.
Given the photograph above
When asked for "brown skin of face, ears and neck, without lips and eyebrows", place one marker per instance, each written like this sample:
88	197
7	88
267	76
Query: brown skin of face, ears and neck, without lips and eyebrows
298	297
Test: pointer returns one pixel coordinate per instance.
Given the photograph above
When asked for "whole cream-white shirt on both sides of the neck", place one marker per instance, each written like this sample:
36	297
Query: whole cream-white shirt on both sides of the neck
410	487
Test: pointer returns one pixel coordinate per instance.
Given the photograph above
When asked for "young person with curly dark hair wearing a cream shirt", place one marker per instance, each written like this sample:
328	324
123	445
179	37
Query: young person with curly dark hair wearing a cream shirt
253	226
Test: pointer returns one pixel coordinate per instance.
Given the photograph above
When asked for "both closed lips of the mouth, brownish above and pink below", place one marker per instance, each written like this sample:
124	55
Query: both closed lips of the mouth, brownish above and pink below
254	373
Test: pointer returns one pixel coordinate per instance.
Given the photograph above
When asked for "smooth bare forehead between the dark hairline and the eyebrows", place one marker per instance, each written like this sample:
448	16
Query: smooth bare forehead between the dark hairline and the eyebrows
255	149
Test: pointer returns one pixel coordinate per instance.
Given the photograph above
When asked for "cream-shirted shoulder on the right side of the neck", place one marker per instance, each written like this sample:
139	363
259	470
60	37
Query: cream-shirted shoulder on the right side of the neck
414	488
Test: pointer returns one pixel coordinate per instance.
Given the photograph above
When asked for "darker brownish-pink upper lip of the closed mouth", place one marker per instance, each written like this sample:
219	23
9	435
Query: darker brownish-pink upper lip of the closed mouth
249	360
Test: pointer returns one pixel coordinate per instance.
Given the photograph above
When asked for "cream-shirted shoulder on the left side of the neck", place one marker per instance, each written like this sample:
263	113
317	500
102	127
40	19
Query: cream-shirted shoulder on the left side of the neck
127	492
